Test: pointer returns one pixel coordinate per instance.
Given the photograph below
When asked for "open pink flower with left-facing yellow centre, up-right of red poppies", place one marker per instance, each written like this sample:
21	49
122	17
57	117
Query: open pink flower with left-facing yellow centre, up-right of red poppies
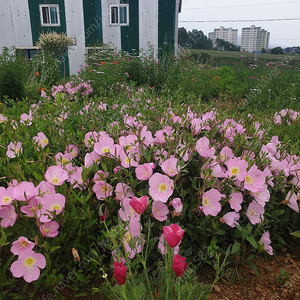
210	202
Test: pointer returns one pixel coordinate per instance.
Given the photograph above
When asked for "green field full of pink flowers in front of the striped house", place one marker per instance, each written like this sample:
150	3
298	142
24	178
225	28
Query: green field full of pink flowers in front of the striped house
137	177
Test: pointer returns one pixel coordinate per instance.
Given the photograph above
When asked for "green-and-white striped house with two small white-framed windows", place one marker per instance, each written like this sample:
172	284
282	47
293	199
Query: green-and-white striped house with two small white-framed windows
130	25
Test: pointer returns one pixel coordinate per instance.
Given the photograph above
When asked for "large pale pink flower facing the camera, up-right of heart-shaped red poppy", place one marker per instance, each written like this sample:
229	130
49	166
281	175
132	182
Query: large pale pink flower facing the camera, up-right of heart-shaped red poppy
160	187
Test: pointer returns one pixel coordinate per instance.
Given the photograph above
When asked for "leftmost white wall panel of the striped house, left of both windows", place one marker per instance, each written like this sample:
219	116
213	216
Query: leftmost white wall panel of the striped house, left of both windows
15	24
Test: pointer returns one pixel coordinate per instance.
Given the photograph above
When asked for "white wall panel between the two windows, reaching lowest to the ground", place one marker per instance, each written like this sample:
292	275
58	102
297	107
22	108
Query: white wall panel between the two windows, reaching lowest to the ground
75	29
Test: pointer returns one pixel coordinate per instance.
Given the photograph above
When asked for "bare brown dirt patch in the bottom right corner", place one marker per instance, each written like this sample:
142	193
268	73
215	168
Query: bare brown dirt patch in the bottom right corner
279	278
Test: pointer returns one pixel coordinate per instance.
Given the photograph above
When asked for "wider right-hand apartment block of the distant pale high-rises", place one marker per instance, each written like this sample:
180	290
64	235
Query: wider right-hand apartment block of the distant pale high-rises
254	39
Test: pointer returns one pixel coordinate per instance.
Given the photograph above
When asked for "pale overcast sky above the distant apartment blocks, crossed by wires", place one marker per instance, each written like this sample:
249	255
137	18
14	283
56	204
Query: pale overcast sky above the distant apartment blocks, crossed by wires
284	33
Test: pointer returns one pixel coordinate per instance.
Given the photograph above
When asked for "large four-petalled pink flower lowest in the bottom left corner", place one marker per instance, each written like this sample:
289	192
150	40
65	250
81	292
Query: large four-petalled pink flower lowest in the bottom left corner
28	265
